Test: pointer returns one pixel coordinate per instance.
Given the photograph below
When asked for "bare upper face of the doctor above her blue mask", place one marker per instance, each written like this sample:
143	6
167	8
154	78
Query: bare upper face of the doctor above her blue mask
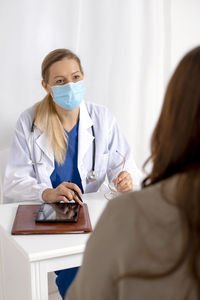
64	67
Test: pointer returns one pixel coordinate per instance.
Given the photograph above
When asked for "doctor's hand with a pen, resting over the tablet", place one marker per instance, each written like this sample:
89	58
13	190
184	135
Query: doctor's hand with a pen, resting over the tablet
63	192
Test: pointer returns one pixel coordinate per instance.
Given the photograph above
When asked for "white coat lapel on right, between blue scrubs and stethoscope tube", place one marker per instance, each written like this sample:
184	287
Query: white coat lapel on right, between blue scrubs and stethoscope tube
85	136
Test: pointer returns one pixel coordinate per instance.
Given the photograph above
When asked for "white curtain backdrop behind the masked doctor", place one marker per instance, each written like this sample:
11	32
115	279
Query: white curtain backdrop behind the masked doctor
123	46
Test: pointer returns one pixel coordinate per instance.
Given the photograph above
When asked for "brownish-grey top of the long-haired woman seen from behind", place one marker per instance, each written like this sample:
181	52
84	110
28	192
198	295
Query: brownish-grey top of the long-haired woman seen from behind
138	232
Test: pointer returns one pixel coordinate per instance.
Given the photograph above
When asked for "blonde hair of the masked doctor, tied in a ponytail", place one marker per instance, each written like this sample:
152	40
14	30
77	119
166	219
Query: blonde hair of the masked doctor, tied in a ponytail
46	117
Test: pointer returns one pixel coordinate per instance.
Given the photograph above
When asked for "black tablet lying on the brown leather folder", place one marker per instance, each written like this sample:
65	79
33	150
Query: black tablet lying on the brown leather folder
58	212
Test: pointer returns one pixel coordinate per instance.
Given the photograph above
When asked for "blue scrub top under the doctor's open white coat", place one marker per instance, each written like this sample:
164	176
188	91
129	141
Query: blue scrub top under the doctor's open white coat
68	171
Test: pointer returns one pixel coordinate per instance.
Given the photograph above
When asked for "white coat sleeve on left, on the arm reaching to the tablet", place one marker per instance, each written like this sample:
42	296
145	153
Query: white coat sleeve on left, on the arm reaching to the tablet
20	182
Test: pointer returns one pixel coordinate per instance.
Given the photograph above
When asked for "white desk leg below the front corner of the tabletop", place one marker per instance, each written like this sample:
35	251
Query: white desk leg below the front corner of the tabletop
39	280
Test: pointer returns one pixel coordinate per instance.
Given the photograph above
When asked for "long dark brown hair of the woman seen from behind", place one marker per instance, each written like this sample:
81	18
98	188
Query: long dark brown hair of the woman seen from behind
175	149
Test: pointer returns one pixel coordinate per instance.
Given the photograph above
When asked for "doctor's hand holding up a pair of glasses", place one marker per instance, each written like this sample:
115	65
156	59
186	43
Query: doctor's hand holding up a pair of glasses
124	182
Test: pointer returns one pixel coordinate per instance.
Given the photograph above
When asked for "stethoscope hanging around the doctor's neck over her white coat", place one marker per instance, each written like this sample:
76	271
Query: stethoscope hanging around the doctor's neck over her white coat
91	176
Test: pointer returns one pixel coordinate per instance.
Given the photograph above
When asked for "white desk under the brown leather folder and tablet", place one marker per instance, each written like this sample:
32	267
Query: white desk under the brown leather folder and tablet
26	260
